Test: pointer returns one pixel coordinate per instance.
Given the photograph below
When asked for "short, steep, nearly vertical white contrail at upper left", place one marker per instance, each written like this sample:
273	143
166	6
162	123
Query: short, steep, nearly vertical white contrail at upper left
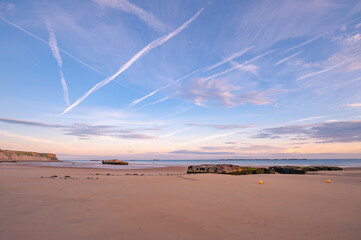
55	51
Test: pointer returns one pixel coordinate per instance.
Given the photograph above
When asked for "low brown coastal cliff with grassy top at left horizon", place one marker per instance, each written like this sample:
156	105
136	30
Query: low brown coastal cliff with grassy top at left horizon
19	156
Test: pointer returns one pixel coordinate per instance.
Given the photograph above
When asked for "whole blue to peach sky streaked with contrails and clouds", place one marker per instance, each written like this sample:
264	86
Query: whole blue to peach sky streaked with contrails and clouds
181	79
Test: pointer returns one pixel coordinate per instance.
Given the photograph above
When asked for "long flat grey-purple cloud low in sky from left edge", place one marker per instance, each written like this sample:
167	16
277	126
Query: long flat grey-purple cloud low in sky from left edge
86	131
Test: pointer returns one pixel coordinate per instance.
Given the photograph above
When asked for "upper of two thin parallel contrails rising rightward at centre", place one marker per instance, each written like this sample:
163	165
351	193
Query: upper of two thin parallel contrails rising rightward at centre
189	74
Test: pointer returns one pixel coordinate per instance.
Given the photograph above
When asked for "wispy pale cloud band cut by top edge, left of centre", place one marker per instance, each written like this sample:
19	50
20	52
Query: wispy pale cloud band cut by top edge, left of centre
128	7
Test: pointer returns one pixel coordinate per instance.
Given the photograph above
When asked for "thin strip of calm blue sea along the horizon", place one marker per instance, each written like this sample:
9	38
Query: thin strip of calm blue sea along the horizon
138	164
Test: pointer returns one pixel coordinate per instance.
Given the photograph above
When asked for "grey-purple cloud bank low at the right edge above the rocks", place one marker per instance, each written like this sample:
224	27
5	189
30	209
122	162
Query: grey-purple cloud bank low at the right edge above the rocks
344	131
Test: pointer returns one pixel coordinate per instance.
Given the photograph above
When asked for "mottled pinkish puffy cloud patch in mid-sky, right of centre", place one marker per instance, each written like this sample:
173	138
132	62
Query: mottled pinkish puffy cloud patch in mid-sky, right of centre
218	92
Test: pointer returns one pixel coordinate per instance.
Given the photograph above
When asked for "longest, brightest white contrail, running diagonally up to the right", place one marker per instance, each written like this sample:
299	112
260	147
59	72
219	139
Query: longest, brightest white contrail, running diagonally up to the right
156	43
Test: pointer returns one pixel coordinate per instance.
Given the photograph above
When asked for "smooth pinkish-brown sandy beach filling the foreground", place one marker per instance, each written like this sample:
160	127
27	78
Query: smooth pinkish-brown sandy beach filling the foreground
176	206
